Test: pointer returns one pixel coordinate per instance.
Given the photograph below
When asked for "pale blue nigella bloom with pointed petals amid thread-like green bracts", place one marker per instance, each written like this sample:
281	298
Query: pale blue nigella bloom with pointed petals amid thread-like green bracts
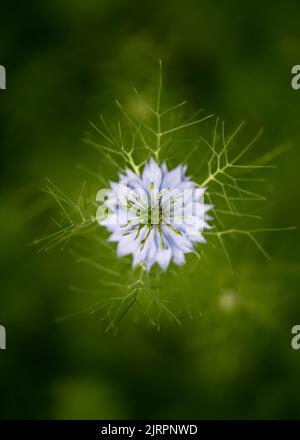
157	217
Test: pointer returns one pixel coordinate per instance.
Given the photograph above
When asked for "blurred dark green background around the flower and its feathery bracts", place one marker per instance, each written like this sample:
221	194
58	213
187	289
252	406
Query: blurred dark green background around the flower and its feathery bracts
66	62
